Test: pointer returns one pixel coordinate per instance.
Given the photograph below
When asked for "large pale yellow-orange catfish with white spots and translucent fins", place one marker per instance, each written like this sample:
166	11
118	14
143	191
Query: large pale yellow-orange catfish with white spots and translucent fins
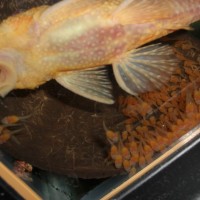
72	40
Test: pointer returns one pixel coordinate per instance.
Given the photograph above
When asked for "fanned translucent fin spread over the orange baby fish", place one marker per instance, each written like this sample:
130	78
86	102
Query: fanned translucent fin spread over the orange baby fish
145	69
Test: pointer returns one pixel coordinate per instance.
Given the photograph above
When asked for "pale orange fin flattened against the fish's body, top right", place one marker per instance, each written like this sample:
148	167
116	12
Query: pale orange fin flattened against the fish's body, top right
141	11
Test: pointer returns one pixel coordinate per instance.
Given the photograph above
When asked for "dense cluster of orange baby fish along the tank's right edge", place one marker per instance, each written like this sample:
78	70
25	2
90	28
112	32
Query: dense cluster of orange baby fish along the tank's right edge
155	120
